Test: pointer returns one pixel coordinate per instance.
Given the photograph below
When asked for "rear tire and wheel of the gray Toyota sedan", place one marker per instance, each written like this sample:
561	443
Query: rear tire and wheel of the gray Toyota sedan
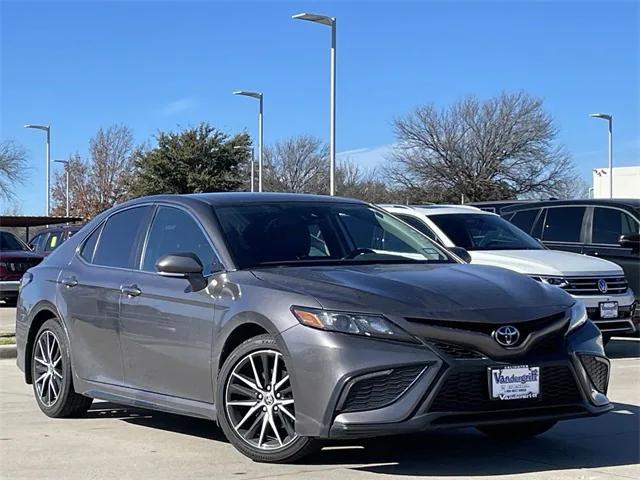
51	374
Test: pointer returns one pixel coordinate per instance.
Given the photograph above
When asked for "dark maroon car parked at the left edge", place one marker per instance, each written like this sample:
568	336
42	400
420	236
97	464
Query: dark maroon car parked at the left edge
15	259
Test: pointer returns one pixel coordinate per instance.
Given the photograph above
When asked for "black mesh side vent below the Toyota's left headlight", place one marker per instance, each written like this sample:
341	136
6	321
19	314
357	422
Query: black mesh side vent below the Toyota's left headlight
377	391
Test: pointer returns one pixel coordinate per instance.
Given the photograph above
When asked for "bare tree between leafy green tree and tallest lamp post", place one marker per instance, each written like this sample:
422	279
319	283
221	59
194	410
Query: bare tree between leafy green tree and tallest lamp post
298	165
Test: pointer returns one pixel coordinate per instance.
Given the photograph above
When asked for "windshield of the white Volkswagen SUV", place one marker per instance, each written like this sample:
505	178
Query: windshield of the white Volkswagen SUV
477	231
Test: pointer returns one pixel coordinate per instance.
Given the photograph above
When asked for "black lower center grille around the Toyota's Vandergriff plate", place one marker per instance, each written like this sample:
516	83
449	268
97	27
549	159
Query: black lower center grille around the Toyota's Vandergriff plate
468	391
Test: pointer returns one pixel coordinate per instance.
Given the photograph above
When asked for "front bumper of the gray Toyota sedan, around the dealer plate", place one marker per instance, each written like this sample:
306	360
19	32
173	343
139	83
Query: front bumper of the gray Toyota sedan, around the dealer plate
328	365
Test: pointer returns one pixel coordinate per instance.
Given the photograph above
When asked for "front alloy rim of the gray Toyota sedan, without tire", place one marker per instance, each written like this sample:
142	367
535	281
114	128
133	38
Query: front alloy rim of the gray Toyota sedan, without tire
259	401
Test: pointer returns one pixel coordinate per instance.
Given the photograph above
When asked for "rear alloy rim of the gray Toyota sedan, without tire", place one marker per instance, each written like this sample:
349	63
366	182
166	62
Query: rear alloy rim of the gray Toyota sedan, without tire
48	368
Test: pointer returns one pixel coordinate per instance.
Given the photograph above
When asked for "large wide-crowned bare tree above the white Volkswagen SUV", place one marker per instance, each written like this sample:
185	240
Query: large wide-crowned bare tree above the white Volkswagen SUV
501	148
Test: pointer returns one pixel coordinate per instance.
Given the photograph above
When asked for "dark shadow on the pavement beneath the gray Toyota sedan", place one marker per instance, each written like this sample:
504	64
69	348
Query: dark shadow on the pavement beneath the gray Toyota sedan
609	440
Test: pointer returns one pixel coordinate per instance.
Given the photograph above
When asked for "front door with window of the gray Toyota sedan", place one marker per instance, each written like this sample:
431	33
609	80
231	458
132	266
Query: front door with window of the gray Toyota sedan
166	327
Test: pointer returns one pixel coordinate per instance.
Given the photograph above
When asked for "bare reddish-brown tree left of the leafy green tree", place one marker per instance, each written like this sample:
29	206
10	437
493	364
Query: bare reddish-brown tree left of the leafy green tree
103	180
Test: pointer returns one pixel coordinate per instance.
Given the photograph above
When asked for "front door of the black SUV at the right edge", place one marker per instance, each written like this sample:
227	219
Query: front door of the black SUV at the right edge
606	226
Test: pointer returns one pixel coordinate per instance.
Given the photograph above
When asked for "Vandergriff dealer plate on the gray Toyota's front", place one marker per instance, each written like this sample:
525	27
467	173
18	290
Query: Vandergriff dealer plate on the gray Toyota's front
514	382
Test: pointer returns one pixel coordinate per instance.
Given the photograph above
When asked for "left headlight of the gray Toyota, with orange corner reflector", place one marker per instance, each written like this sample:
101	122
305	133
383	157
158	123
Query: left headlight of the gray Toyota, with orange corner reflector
354	323
